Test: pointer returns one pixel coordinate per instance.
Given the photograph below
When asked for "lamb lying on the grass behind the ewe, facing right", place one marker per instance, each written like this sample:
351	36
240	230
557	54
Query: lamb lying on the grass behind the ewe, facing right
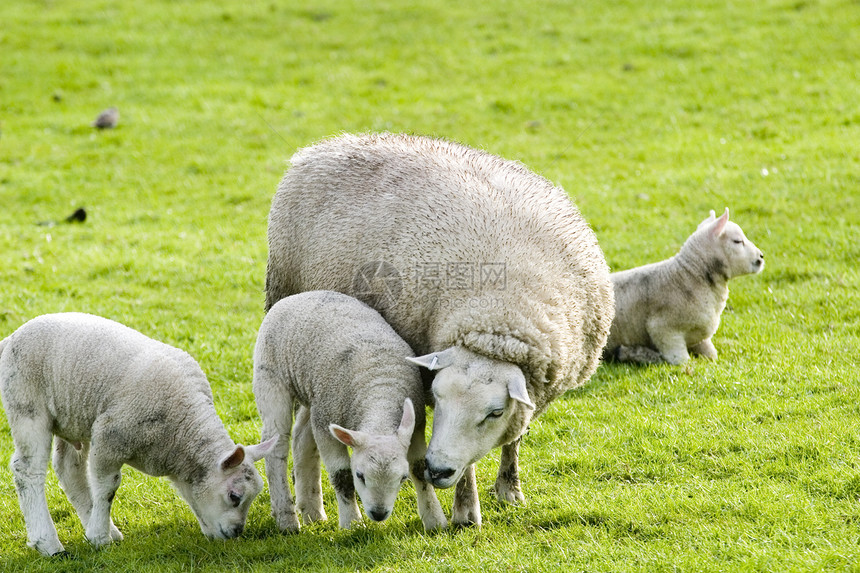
666	310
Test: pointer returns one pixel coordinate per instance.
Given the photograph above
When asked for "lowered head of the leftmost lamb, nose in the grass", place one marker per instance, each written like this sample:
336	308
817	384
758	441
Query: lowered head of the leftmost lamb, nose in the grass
220	497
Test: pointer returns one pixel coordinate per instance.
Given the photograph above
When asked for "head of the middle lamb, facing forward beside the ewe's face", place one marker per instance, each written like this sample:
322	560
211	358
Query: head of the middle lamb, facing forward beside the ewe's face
379	464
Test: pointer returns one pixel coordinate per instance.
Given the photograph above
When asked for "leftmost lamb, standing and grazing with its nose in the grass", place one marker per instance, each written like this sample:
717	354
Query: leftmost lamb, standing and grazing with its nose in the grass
112	396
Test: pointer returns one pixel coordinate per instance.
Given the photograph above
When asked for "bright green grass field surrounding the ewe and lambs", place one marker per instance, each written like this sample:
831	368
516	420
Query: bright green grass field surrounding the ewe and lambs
648	114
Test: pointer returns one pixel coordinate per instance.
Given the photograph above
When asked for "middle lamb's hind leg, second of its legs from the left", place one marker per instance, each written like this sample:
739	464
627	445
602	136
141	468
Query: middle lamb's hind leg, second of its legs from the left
306	469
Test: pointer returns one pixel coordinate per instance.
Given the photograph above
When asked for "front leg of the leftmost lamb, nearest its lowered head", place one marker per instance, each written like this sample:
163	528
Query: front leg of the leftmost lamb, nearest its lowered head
104	473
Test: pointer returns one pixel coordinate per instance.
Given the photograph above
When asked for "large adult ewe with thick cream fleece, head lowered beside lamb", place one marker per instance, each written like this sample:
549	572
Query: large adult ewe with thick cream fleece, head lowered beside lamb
465	254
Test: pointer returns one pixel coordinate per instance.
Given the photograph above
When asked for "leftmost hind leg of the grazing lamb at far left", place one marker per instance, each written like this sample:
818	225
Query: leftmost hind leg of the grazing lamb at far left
29	465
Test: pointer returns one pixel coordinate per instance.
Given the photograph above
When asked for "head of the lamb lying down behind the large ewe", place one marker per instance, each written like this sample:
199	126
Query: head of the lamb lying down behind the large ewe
727	247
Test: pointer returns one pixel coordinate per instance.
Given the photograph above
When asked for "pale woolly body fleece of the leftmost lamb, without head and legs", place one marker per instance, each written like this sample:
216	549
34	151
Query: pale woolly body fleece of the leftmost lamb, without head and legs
80	367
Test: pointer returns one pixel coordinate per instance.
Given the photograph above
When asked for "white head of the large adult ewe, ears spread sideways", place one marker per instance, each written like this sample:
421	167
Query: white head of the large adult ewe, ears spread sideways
480	404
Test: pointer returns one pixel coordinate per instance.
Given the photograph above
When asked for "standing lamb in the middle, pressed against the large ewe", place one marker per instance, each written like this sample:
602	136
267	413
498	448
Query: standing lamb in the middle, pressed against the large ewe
344	365
